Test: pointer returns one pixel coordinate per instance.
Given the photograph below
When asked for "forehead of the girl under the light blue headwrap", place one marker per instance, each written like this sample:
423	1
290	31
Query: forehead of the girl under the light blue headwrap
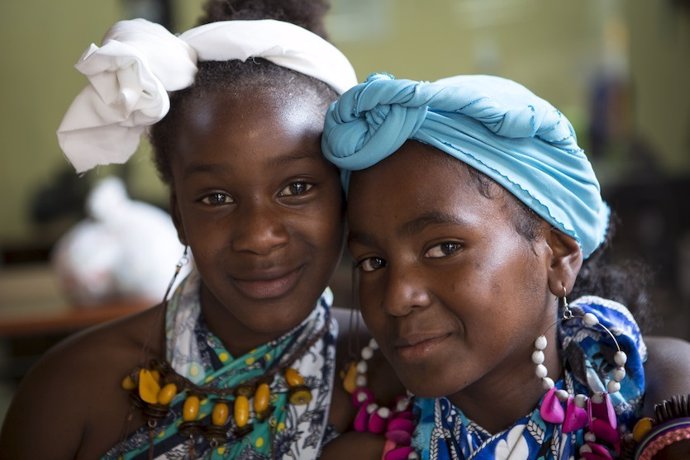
419	180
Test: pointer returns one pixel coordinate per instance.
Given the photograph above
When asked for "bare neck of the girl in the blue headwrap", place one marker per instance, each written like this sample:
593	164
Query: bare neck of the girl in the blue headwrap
496	403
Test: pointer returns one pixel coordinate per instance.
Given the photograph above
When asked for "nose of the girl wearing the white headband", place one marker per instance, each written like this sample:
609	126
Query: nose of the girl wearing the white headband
259	229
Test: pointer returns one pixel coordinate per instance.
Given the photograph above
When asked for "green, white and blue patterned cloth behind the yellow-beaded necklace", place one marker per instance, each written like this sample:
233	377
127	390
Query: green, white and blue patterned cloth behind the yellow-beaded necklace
290	432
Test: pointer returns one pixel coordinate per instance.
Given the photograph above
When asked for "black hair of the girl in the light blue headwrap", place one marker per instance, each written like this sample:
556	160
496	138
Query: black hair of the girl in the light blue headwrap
625	283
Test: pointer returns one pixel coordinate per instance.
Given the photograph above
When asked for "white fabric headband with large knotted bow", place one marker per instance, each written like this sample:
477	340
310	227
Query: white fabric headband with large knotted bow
139	62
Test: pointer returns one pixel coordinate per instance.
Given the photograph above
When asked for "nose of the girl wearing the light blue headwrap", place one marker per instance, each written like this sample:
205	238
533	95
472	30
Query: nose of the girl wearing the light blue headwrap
405	290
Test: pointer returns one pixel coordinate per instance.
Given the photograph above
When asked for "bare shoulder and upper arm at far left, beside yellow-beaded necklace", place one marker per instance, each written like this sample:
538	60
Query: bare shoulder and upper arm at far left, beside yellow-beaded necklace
71	400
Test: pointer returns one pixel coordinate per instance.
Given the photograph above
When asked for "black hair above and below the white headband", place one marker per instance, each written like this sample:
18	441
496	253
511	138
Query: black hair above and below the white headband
240	77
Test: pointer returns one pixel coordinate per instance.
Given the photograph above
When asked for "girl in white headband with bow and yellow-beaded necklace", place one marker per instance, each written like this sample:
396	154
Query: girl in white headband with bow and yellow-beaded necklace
239	361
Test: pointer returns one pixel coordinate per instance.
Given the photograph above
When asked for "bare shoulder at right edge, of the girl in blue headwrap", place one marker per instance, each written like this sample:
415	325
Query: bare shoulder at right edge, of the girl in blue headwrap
667	369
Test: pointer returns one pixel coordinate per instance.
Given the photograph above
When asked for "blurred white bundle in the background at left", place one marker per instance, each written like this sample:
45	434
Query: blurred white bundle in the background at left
125	248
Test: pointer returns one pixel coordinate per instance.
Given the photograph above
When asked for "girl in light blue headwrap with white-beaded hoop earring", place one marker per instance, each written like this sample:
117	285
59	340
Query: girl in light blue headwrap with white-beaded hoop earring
470	210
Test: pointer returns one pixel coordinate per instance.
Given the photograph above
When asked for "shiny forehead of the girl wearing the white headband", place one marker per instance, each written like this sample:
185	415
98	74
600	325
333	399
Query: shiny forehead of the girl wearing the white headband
248	125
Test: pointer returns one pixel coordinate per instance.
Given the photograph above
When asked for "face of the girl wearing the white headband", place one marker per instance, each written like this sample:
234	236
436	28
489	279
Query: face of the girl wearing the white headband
259	207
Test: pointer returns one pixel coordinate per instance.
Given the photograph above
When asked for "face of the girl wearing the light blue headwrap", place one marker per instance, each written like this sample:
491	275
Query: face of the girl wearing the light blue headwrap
452	293
